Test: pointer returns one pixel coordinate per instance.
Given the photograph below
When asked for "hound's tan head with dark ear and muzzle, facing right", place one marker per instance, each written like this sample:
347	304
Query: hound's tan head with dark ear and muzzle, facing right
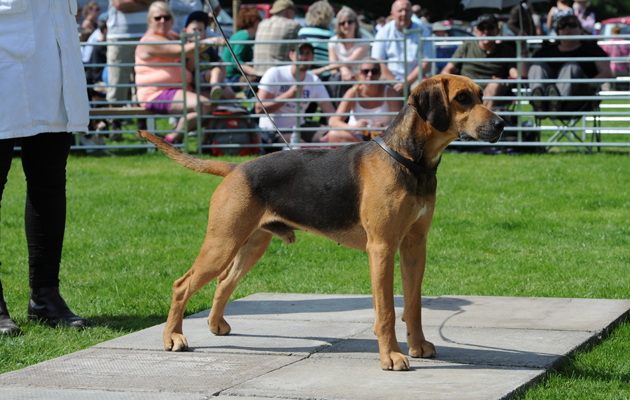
453	104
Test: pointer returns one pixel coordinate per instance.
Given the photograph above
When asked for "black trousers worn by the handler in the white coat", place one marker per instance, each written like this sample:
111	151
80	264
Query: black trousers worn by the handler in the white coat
44	158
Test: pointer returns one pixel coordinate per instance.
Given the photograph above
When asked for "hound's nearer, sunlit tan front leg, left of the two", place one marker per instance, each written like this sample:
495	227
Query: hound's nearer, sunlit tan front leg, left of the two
382	257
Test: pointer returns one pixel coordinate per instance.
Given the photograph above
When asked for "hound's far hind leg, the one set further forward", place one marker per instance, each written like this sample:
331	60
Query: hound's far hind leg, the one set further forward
245	260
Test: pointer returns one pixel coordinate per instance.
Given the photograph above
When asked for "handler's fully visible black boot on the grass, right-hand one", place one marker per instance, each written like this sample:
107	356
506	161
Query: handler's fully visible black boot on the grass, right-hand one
47	305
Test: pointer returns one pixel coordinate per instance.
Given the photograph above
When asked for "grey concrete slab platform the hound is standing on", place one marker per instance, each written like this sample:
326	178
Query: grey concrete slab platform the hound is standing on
300	346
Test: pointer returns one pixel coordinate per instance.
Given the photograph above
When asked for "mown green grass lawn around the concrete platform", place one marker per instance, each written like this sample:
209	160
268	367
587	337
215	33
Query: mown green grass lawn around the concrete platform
552	225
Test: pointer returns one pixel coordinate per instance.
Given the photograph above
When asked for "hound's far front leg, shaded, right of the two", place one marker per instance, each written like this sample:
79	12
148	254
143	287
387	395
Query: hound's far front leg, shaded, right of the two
413	254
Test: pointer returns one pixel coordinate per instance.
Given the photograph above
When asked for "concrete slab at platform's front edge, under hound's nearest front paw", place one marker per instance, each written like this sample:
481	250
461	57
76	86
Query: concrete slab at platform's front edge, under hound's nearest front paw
351	379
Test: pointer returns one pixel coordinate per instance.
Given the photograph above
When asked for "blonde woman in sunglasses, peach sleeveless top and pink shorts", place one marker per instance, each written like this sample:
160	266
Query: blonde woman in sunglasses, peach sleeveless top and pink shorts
160	21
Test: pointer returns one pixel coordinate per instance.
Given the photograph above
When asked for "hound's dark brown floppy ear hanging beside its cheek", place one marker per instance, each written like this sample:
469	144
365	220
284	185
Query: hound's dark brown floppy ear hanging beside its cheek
431	101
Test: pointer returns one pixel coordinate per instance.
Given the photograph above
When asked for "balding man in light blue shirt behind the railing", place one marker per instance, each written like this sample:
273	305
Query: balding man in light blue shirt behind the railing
392	53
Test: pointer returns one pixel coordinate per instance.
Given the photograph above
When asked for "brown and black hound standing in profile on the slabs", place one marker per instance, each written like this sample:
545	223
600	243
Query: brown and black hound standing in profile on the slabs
358	196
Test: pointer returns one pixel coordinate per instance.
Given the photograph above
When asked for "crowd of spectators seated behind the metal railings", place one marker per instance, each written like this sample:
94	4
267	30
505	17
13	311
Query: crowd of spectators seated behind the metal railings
337	47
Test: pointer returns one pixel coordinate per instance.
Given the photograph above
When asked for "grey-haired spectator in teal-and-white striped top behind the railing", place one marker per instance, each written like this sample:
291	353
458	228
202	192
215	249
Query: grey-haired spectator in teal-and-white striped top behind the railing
318	19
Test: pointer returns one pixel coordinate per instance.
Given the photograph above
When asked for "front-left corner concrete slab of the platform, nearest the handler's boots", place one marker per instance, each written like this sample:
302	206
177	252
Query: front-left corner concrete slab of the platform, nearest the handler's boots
144	371
